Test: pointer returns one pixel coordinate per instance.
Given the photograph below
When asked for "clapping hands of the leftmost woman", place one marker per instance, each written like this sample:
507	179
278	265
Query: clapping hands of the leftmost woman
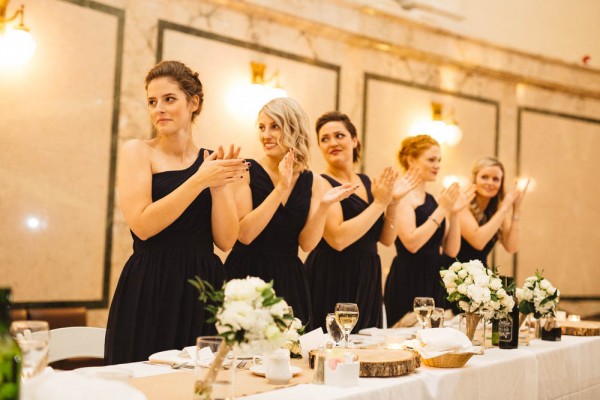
216	171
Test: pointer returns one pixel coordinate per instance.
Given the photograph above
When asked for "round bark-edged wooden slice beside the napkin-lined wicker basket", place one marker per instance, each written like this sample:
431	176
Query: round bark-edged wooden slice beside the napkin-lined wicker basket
381	362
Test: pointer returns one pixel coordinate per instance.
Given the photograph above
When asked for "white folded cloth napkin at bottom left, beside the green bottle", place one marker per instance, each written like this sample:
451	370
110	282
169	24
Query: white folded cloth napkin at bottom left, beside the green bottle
76	386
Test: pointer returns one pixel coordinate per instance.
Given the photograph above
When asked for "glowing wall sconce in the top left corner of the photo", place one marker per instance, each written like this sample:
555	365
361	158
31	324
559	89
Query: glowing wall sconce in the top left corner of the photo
16	43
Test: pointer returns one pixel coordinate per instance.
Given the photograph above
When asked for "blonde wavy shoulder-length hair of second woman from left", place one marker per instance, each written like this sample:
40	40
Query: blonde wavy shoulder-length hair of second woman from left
292	119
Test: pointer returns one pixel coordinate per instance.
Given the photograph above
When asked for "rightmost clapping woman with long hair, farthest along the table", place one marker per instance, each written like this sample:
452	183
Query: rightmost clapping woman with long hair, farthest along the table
492	214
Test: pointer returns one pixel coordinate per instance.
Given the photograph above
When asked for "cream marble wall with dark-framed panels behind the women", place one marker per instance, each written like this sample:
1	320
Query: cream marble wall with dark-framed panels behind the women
515	79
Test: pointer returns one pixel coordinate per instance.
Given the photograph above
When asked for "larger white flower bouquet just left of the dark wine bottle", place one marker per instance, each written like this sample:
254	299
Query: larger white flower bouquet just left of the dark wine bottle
477	289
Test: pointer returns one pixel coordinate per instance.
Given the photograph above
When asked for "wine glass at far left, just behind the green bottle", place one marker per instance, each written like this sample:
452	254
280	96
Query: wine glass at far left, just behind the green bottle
33	338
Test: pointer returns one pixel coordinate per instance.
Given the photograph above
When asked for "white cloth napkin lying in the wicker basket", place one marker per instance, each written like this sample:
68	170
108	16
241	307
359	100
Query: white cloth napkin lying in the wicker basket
438	341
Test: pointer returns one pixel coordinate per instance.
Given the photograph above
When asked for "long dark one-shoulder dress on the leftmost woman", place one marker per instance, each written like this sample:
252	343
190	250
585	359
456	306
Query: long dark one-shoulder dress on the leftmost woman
154	307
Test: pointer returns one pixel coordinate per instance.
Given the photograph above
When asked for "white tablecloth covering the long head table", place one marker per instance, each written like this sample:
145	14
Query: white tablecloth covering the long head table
542	370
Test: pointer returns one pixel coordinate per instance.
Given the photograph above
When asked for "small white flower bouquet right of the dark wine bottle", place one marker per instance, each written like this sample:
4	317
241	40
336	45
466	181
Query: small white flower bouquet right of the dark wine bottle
538	297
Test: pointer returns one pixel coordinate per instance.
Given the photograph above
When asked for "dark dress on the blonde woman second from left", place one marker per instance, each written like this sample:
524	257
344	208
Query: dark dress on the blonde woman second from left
273	254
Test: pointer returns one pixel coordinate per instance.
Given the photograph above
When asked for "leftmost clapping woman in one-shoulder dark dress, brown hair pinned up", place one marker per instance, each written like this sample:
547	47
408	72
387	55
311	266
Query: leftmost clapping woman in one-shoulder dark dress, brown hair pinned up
169	192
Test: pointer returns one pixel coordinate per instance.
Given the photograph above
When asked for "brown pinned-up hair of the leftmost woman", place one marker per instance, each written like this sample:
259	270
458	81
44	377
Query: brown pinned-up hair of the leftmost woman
188	80
